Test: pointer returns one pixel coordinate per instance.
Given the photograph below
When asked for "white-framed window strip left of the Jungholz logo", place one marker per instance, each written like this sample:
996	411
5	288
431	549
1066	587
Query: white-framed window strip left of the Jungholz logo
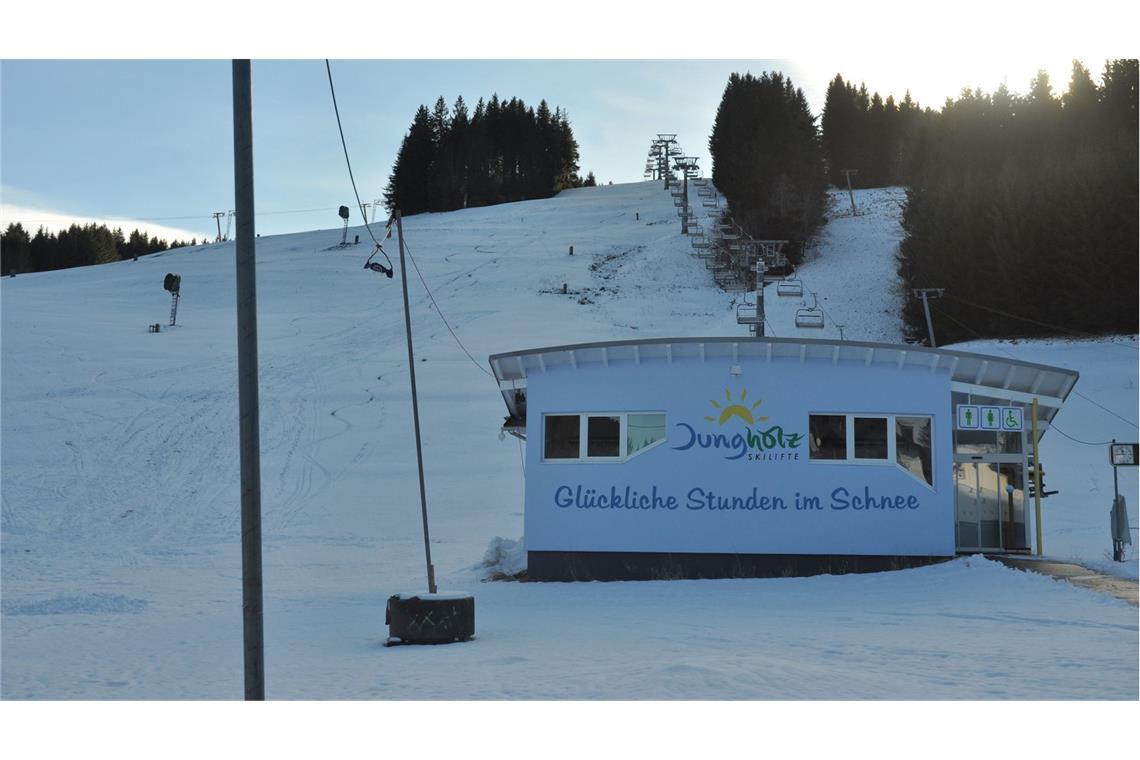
613	437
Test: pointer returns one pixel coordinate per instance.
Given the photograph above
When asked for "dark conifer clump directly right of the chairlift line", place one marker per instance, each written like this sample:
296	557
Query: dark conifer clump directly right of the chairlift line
768	160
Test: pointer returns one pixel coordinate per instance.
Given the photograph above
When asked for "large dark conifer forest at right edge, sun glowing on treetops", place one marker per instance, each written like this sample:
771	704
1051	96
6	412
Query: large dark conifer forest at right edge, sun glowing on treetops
1025	209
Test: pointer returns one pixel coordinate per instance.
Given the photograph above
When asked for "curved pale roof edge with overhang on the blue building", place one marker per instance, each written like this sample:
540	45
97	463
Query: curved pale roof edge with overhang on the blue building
1000	378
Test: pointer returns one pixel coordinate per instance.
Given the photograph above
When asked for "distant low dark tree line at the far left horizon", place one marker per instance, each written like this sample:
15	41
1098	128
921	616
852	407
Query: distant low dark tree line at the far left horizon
76	247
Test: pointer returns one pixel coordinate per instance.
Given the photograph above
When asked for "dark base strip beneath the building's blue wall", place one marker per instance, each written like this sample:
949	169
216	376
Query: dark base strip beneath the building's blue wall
659	566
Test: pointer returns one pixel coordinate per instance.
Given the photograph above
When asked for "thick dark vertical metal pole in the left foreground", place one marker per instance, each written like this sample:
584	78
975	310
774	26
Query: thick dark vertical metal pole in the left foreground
248	386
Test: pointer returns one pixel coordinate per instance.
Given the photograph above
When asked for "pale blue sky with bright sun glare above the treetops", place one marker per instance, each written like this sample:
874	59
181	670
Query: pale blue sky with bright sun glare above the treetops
149	143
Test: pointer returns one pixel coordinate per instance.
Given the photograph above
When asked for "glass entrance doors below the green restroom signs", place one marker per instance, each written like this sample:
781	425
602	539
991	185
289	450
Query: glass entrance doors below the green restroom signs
990	506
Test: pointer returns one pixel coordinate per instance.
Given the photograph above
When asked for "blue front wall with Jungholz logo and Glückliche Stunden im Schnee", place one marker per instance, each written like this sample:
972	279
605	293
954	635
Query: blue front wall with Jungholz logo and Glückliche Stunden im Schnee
737	473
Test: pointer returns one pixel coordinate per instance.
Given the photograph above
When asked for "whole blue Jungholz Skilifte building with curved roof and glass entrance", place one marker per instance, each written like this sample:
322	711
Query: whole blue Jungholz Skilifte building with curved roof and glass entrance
715	457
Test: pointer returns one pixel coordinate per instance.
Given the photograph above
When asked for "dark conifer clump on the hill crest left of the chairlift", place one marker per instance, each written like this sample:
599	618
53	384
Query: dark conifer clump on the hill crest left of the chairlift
502	152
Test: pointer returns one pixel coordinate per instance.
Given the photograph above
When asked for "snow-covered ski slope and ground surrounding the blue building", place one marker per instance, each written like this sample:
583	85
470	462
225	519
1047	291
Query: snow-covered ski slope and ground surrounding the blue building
120	484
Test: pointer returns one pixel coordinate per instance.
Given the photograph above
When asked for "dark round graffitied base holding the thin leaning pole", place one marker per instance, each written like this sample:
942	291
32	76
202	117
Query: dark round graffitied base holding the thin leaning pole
430	618
